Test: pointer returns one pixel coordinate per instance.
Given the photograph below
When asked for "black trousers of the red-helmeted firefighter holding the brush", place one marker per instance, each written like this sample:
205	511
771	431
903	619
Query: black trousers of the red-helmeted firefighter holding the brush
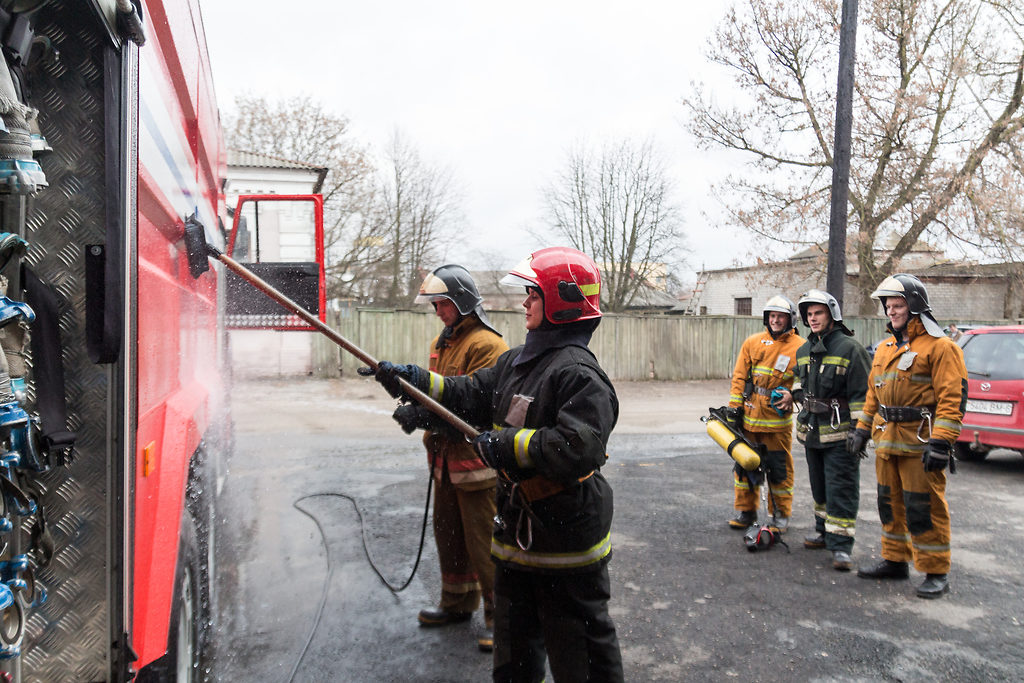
562	617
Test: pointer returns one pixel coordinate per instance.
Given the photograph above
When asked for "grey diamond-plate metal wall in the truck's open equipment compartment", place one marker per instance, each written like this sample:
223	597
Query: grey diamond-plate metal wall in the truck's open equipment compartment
66	639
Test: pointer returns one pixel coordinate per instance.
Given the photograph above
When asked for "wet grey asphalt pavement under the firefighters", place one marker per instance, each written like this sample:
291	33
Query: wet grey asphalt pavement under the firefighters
301	602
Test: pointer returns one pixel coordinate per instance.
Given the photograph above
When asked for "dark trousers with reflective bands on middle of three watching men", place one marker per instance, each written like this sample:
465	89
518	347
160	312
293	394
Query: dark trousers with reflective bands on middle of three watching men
835	479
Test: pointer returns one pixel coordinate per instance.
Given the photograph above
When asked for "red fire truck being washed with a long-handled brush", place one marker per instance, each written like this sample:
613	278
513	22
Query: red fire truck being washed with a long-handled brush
114	419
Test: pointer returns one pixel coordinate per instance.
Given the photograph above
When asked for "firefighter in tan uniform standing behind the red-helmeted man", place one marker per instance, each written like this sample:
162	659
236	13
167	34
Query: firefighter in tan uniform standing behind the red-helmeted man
464	493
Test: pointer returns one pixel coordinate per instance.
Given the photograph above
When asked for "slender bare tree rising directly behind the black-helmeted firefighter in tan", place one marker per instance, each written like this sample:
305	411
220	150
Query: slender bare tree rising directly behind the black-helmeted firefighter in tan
418	206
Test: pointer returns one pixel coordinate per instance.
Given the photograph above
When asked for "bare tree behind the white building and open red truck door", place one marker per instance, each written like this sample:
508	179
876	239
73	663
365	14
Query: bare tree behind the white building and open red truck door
301	130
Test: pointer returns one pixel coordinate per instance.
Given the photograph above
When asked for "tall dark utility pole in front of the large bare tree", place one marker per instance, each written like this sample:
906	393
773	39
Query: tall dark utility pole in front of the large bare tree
836	278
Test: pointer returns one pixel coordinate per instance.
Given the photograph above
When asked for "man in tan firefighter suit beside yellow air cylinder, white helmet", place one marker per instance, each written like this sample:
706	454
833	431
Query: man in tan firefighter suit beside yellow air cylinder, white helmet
765	367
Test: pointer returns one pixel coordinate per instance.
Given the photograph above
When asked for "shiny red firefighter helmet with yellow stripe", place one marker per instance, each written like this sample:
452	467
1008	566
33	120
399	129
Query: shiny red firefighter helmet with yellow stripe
569	279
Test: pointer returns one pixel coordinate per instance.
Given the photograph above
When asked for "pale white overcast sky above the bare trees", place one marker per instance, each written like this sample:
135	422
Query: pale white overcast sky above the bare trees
496	93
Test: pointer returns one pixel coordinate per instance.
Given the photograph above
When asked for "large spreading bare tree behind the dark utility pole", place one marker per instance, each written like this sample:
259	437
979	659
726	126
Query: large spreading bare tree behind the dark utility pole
938	89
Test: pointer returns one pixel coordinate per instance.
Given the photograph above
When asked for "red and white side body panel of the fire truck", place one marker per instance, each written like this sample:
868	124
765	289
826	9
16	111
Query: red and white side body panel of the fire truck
182	162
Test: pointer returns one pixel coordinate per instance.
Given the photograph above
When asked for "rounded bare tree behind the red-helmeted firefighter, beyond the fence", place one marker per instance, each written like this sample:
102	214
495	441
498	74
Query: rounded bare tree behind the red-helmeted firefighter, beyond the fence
616	206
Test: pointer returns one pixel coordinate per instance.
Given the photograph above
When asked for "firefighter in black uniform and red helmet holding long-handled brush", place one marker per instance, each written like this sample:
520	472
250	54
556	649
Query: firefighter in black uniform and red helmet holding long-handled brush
547	409
